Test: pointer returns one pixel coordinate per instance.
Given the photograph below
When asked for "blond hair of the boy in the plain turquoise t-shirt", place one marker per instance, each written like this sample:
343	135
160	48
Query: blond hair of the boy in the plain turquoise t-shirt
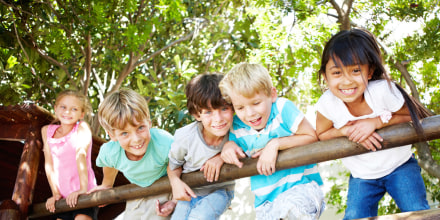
122	107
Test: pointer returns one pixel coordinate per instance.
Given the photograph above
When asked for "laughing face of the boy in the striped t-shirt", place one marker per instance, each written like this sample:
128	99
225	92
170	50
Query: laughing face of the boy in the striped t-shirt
253	111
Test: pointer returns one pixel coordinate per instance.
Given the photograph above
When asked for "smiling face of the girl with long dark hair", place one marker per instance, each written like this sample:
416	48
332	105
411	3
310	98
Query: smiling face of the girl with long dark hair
348	83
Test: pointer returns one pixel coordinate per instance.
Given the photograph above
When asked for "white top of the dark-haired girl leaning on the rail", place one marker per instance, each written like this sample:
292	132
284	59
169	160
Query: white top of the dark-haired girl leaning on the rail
381	98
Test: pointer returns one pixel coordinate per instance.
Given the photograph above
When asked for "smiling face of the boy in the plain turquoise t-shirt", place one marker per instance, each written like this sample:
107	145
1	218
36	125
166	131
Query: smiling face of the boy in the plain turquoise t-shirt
134	139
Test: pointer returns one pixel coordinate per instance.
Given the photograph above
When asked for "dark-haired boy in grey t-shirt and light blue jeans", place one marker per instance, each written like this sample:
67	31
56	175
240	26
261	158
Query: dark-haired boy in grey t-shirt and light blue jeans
197	146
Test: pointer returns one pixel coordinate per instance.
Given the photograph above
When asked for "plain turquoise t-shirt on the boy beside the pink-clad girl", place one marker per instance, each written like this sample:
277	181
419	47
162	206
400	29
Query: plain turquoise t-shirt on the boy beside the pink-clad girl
142	172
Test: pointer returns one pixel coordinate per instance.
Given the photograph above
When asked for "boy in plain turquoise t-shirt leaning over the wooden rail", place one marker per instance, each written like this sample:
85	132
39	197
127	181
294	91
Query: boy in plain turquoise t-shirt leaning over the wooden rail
137	150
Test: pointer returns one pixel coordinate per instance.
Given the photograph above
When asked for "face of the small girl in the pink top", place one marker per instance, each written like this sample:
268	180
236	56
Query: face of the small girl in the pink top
69	109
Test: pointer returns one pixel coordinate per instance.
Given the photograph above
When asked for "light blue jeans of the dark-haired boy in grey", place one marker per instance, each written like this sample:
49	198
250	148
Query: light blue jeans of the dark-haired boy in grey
209	206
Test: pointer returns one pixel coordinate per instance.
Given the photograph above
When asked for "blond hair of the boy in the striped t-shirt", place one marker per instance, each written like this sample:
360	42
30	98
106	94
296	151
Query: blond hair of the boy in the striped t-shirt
246	79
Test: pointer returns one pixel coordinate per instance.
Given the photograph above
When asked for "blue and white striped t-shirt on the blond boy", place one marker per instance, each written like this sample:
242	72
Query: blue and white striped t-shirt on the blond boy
283	121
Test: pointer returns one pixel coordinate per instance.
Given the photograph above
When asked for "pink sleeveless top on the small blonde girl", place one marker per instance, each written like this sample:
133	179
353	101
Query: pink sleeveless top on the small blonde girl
63	152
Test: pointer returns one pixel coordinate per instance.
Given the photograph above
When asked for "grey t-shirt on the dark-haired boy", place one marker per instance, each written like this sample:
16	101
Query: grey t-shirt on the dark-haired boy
190	151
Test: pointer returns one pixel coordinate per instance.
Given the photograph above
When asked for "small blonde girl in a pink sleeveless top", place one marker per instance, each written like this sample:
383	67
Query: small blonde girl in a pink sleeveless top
67	152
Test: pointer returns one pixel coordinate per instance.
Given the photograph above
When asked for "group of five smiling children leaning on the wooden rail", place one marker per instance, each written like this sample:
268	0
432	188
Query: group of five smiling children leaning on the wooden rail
240	115
